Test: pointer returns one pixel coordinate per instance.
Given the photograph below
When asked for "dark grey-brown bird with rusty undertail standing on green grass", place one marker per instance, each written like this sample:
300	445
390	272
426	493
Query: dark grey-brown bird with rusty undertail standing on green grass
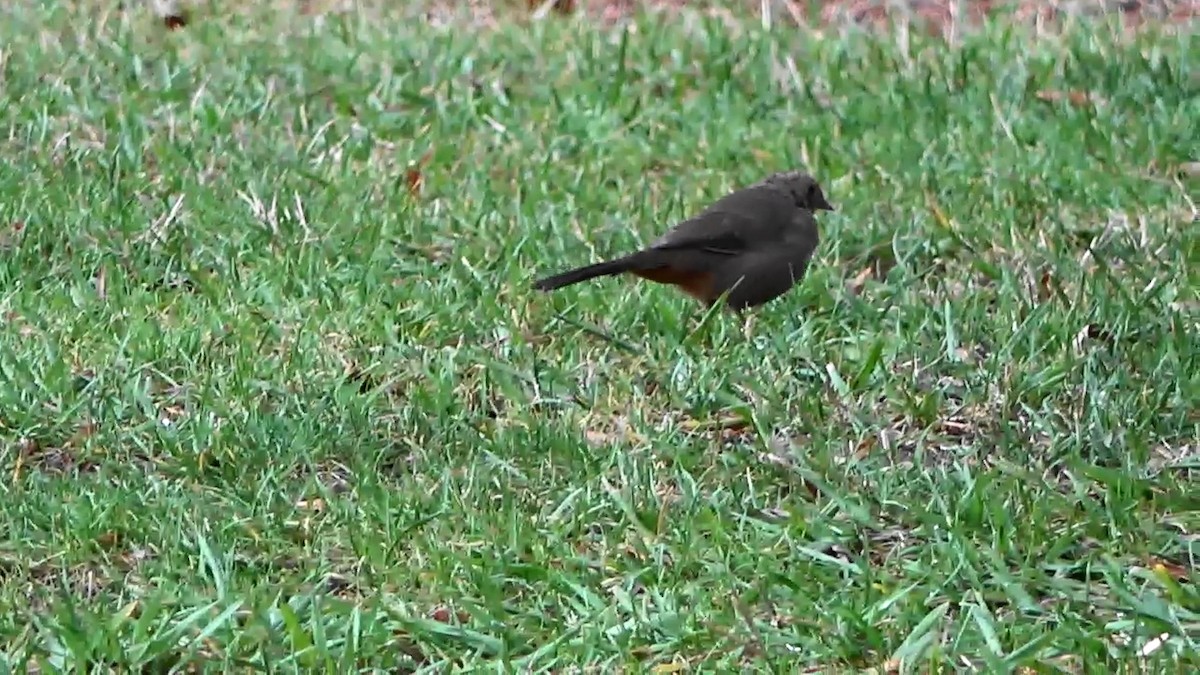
754	244
